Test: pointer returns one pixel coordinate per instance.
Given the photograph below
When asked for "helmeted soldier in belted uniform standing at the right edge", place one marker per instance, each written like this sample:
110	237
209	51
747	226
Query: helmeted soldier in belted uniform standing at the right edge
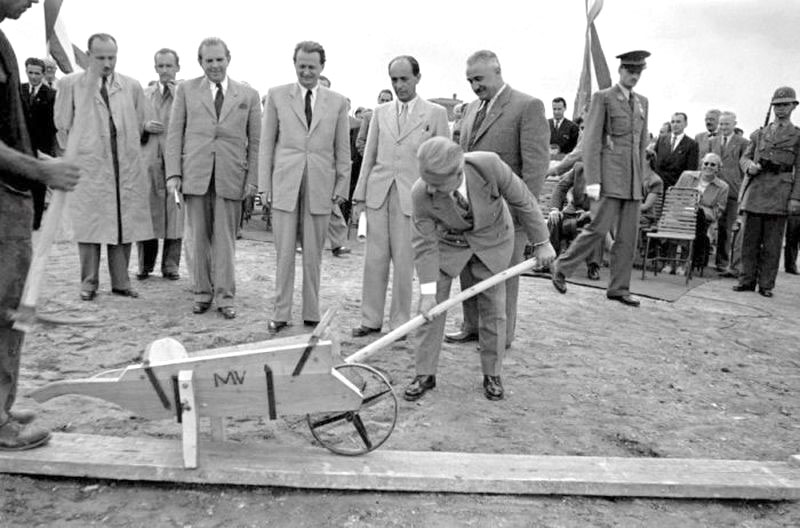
770	192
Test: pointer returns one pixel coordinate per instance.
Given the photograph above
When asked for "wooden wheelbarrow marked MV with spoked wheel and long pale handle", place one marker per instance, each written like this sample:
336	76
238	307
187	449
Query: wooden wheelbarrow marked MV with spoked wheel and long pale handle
350	407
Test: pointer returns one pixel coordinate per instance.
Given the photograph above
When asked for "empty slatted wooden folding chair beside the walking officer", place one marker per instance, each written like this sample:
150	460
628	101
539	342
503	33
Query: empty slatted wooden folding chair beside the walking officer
678	224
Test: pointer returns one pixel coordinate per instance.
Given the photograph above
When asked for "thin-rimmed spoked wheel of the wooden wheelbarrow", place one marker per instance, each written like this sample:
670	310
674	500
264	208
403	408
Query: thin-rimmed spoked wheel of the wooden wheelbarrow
364	429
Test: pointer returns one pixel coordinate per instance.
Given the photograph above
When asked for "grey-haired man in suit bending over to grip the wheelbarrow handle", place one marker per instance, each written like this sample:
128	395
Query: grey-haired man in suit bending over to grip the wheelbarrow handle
462	225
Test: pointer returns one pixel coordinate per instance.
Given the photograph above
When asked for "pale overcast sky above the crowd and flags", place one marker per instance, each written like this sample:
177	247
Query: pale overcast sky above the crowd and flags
726	54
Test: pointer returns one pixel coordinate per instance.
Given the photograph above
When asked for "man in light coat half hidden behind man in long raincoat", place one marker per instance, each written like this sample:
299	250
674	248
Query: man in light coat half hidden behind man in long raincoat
166	214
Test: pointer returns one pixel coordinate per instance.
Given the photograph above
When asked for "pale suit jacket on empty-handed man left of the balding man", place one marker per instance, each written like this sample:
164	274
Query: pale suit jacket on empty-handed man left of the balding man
289	148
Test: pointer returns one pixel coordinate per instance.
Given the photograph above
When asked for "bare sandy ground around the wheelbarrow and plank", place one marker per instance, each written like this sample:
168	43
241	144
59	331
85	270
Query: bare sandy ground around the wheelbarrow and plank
714	375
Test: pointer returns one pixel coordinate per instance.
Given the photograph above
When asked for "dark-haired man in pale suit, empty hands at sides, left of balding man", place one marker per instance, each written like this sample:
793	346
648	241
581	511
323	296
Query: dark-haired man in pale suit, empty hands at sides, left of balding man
305	170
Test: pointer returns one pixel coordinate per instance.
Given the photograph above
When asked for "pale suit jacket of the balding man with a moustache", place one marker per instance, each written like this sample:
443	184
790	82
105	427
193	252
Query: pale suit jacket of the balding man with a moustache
390	155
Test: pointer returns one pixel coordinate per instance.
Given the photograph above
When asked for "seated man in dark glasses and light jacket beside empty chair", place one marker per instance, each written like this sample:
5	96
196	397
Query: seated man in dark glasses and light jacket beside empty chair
711	201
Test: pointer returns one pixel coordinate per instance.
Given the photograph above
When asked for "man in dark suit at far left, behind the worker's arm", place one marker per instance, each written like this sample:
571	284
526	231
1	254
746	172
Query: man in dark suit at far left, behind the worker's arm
37	102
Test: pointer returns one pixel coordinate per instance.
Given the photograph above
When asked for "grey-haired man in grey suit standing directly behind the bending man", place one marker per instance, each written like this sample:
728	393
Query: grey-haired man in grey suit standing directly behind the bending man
513	125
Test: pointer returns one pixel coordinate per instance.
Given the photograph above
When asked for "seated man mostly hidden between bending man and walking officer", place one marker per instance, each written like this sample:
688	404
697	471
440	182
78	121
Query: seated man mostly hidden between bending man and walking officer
569	212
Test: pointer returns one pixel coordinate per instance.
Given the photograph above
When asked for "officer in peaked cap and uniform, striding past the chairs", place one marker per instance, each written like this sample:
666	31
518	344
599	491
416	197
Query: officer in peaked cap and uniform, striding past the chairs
614	142
